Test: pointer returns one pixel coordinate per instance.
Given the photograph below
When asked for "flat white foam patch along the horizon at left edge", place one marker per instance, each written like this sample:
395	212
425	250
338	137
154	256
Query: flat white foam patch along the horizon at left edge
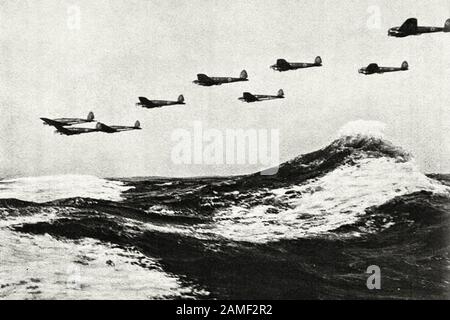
48	188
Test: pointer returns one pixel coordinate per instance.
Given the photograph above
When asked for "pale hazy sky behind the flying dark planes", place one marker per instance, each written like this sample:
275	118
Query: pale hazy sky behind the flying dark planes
124	49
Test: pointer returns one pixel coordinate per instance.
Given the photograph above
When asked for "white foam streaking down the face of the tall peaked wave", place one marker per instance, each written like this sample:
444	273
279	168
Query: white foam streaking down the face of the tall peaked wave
324	204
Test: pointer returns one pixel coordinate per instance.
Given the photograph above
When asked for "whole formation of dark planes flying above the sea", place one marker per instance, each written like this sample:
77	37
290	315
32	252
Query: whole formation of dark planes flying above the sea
65	126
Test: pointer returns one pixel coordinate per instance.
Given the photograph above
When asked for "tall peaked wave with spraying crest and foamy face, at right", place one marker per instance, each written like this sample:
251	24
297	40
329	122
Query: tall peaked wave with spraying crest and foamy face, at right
326	189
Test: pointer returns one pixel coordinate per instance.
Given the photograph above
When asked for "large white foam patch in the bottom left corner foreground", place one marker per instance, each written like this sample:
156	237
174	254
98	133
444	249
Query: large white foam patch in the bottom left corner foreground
41	267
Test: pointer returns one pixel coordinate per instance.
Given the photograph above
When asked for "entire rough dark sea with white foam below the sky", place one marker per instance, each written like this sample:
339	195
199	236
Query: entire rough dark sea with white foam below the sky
310	231
